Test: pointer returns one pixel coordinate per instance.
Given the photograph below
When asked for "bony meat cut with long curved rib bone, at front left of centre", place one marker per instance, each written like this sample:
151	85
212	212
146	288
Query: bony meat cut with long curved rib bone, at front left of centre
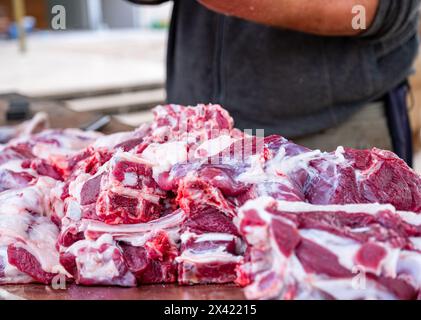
124	255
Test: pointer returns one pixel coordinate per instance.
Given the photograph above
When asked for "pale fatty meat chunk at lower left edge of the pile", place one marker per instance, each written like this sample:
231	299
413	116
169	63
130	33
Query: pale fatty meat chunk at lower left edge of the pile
27	238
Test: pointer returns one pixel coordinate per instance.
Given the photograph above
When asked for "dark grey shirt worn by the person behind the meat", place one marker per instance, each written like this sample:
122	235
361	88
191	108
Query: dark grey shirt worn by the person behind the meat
286	82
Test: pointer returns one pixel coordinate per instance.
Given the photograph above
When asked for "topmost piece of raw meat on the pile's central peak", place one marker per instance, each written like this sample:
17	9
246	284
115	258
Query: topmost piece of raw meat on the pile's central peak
183	134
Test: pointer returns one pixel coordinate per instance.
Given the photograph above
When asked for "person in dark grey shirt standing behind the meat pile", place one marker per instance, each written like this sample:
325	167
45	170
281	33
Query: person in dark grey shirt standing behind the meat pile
322	72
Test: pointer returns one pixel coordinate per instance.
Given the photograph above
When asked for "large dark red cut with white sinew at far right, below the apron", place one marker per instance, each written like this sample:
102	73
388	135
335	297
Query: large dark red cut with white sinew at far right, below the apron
349	176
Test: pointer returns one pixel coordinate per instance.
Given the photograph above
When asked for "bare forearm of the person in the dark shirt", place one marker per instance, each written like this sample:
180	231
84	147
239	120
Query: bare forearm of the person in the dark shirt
323	17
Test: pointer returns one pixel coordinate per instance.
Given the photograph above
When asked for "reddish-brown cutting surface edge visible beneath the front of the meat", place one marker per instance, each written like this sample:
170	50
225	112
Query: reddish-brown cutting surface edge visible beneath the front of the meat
146	292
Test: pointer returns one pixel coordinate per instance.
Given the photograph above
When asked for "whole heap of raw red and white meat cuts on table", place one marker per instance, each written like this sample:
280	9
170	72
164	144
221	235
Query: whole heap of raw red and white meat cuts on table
188	199
